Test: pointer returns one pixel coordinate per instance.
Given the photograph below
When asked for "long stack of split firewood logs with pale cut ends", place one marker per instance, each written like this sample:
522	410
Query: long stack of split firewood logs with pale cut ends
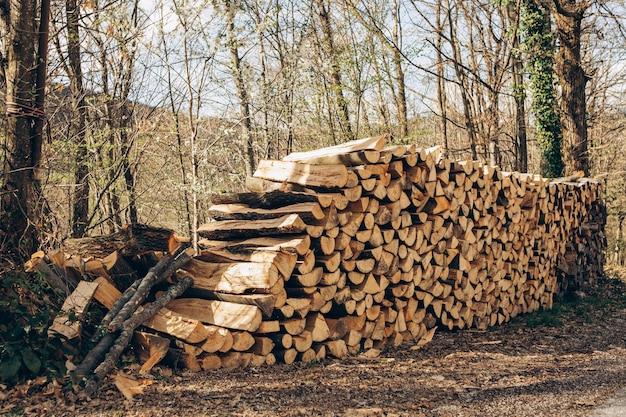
364	245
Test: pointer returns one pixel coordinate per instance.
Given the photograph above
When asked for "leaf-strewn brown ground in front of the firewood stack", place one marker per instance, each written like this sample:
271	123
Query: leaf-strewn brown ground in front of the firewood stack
562	362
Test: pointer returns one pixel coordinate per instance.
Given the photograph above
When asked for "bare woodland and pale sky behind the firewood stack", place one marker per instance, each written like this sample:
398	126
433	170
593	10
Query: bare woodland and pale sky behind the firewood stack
152	106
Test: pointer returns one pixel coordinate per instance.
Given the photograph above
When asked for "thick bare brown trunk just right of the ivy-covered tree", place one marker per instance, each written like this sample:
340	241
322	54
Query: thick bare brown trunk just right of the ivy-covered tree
568	16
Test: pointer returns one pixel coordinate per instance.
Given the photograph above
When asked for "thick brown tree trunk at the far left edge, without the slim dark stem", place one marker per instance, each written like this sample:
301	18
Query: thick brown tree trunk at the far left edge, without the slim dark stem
18	205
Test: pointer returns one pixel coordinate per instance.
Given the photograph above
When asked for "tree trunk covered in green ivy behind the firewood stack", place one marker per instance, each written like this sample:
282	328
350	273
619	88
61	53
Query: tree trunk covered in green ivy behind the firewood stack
537	42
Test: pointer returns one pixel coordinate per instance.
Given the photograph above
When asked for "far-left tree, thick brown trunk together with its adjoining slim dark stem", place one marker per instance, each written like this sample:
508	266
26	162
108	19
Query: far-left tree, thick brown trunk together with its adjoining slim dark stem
24	71
